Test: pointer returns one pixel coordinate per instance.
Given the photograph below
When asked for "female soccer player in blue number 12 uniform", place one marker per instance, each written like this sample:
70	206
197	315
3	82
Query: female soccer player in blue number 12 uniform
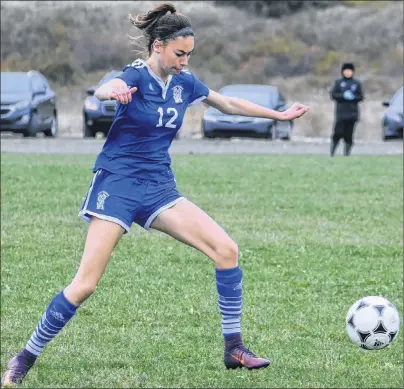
133	182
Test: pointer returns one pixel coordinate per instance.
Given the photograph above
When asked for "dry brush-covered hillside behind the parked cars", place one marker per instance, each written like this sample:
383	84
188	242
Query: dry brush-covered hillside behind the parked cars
73	43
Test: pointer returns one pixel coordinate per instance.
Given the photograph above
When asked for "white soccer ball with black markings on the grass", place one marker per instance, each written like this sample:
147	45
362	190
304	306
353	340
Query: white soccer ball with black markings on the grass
372	322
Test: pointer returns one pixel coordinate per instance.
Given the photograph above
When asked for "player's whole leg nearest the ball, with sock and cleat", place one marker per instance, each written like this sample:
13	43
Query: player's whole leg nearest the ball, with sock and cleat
189	224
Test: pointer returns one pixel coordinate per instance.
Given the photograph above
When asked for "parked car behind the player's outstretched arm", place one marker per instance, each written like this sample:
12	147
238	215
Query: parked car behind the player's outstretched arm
215	123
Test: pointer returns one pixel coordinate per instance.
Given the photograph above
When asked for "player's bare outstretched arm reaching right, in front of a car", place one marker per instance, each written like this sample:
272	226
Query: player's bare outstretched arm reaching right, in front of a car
236	106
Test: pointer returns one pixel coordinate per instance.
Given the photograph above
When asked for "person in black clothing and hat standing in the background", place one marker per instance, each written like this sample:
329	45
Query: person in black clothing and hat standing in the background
347	92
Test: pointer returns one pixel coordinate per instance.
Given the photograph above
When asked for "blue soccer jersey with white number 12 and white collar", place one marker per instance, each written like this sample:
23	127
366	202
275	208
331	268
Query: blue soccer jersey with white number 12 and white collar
141	134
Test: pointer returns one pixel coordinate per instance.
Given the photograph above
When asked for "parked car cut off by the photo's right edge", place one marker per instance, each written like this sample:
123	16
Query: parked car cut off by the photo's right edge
392	122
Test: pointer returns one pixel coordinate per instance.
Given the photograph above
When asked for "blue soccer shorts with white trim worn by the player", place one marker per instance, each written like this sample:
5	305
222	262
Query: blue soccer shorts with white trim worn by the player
125	200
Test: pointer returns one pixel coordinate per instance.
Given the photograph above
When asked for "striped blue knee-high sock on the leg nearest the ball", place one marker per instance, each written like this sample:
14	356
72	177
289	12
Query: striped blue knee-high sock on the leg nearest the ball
229	283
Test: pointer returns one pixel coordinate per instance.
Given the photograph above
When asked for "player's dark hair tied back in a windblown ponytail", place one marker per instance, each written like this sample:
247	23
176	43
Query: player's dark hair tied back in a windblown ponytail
162	23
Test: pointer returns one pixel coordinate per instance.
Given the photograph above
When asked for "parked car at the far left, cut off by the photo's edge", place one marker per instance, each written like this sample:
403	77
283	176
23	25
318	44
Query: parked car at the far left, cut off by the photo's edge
28	104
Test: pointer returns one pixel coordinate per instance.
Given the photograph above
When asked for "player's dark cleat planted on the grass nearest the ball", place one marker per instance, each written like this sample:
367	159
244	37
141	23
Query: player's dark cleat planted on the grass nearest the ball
237	355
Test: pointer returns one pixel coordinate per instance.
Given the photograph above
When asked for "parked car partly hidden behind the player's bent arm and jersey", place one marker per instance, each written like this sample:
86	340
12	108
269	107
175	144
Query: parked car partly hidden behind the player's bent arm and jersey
98	115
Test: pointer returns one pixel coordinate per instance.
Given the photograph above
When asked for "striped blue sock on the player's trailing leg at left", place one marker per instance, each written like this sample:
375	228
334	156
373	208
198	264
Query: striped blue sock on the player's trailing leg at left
58	313
